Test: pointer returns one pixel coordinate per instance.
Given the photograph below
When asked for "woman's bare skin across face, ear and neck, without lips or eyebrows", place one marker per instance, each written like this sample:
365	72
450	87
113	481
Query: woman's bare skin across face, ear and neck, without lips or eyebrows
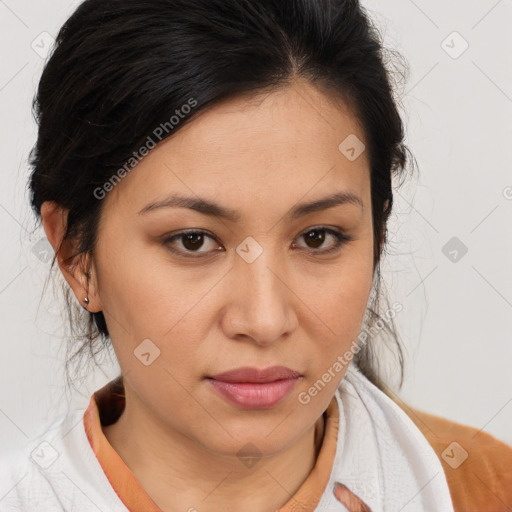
291	306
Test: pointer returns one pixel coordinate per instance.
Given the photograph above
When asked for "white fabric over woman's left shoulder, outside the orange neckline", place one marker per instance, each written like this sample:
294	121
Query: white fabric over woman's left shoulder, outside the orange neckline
55	471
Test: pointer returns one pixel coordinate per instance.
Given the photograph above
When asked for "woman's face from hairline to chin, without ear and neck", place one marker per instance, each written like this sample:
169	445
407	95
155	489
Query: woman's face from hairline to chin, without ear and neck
269	287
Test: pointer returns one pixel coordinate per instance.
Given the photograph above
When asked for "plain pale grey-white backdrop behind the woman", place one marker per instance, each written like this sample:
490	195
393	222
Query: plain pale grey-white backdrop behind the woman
449	256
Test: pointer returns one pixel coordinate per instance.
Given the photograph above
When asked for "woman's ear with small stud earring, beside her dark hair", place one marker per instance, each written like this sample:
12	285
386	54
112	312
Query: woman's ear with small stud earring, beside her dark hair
78	270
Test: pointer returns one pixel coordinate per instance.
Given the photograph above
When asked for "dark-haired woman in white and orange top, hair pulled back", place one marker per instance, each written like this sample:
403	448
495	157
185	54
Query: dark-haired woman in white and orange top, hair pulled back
215	178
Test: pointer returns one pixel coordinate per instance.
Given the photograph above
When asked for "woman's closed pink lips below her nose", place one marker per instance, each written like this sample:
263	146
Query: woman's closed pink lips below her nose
251	388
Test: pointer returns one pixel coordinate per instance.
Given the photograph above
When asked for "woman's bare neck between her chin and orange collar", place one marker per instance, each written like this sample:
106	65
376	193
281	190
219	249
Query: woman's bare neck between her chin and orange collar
180	474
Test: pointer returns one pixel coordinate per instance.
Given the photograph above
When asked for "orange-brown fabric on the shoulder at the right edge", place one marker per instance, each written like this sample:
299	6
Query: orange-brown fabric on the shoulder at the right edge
478	467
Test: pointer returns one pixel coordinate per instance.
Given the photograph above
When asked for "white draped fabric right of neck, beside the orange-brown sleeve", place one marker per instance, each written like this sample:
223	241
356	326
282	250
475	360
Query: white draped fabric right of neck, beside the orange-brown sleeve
381	455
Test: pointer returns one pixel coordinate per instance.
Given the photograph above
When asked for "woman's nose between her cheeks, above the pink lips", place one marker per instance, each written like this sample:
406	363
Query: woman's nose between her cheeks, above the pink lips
260	304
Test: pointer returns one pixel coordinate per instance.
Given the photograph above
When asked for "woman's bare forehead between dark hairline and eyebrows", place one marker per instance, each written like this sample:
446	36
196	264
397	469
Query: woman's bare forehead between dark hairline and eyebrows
272	148
